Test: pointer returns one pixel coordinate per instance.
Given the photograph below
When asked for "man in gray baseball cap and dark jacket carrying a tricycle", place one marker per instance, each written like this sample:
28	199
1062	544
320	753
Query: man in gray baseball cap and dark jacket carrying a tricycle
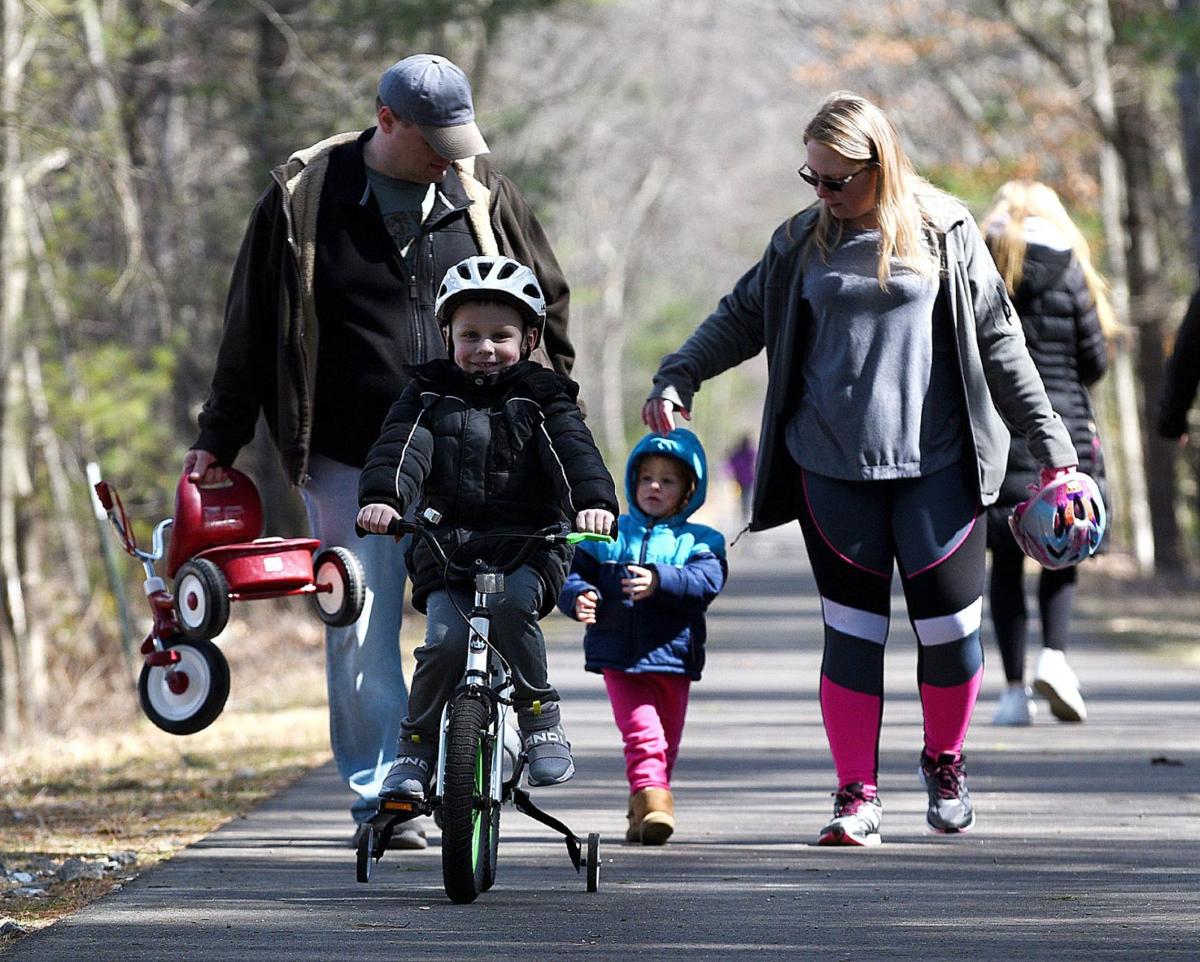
332	298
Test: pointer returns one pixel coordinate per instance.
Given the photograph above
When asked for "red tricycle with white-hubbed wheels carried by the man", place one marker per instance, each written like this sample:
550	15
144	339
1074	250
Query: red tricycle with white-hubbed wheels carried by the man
218	557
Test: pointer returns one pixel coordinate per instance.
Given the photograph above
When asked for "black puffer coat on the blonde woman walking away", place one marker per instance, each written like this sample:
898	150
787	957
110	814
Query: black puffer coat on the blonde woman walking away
1064	336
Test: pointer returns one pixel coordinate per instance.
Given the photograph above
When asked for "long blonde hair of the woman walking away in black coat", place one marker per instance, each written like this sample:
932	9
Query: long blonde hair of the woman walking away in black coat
1004	229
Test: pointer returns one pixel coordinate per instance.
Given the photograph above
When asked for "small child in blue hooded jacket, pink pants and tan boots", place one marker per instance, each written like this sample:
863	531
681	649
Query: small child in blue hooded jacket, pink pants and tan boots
644	600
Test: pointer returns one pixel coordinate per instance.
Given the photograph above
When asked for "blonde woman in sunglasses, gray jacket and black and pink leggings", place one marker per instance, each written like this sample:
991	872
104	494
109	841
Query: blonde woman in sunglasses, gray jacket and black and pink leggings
891	345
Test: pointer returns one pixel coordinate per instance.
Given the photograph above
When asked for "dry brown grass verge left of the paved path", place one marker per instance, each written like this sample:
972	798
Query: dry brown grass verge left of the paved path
121	796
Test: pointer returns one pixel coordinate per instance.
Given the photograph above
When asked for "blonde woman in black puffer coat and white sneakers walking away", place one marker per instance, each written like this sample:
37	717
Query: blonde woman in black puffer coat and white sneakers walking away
1065	311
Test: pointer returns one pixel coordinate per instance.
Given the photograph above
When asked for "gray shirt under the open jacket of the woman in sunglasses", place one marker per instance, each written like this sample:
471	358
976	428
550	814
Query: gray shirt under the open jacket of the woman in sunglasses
881	395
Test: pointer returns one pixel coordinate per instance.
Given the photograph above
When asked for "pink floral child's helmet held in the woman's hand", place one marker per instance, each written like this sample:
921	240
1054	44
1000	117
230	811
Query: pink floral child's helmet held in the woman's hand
1063	524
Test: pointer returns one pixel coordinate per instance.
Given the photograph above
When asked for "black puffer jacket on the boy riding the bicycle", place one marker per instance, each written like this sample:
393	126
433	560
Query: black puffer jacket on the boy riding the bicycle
493	454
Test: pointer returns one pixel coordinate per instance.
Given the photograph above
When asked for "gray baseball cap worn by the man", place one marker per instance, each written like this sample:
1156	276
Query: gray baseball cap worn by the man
434	94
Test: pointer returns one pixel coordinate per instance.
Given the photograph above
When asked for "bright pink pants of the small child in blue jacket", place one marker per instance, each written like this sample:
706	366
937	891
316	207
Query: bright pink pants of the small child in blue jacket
650	711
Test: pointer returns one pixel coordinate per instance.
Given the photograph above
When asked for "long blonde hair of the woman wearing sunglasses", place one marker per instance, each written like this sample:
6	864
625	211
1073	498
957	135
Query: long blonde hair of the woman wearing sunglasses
860	131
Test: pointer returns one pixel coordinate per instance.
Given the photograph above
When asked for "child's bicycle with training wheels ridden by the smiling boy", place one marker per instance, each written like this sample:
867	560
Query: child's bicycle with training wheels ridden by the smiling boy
470	786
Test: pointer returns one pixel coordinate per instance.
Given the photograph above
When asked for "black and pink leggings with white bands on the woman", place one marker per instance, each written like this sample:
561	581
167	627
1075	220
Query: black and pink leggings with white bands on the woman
855	533
